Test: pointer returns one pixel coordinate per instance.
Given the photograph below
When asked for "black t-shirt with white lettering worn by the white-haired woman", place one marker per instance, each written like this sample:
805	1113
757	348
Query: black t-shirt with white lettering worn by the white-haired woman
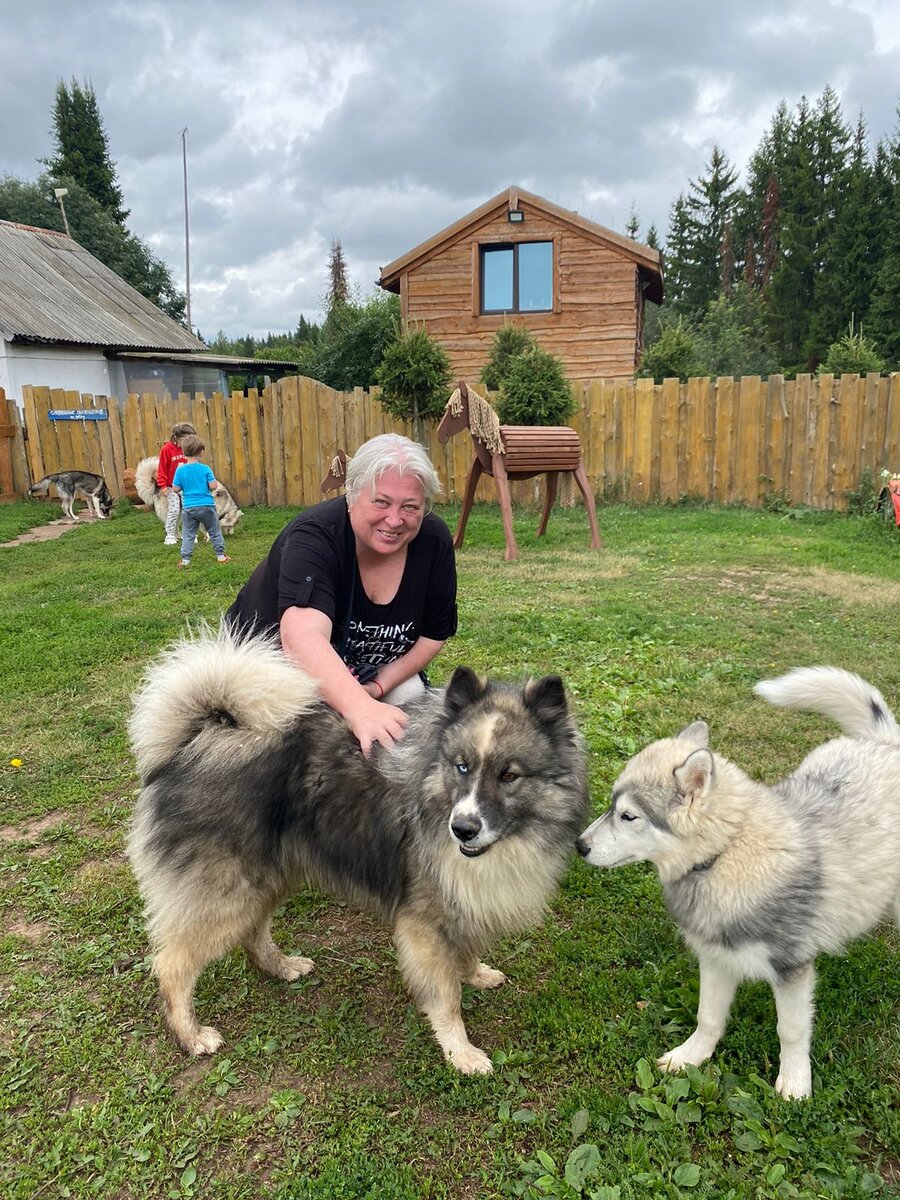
313	565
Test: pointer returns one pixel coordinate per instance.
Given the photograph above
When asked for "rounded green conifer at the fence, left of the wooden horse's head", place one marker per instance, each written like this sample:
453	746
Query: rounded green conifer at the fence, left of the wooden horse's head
416	377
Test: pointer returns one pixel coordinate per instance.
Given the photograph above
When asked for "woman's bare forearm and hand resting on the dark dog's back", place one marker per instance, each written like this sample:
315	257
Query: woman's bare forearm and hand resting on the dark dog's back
307	640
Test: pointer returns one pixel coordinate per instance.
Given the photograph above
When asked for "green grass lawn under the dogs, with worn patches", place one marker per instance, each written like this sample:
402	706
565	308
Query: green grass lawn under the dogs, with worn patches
334	1087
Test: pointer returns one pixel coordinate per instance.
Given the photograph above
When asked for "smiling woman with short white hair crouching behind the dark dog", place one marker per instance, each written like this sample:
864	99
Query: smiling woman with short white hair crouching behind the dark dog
362	590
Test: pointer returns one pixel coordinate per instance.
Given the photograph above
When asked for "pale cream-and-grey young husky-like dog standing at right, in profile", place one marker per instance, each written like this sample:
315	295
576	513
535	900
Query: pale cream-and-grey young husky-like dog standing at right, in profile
761	880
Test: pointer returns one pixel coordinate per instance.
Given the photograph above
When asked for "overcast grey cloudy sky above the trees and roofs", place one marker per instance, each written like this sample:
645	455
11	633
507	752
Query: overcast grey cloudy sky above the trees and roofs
381	123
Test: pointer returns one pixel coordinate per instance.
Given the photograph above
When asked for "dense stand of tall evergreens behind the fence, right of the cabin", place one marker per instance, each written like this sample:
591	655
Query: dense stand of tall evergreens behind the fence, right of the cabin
797	269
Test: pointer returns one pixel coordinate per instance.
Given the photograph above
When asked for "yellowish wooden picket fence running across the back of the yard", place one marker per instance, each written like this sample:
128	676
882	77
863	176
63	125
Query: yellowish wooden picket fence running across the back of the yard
733	441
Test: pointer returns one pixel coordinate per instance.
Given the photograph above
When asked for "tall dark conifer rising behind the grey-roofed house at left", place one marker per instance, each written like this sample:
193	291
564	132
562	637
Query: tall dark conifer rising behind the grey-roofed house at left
83	149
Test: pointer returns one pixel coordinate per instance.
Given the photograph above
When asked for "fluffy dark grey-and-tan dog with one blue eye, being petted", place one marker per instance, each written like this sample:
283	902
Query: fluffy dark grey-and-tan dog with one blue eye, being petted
253	787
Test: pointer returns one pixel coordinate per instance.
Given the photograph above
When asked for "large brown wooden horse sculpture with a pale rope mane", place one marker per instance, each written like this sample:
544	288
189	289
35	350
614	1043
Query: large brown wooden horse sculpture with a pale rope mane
513	453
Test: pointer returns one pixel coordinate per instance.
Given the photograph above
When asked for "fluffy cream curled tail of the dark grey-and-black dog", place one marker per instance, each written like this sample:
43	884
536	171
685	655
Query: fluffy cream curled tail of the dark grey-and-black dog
208	675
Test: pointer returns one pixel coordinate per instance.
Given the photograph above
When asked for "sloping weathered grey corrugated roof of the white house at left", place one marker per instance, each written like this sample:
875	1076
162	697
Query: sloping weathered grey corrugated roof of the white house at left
53	291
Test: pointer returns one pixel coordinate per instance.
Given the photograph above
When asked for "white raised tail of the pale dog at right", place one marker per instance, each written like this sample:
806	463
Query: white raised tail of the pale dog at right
860	710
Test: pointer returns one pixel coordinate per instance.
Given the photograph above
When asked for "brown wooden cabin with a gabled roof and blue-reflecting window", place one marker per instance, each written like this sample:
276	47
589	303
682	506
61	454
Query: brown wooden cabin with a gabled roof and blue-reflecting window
579	287
